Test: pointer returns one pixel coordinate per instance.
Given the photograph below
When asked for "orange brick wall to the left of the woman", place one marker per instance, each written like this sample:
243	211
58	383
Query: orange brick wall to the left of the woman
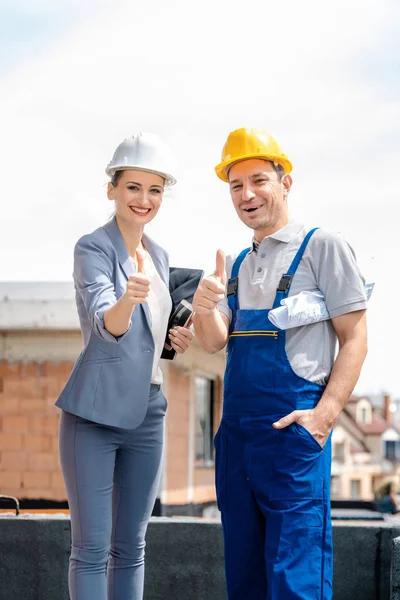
29	463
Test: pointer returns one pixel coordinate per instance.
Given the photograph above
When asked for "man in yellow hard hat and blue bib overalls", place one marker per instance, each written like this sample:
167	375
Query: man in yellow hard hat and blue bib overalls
283	392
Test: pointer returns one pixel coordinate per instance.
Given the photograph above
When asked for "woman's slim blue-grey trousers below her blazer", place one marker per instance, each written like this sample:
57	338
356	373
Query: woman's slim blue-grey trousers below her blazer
112	477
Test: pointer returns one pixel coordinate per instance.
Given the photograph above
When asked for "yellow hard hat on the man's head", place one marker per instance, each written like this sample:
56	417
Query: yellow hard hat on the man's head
250	143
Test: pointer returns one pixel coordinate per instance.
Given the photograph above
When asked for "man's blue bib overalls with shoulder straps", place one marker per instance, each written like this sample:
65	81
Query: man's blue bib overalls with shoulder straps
272	485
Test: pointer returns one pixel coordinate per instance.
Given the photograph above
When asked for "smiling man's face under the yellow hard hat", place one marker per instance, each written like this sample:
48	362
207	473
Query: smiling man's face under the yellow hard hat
259	197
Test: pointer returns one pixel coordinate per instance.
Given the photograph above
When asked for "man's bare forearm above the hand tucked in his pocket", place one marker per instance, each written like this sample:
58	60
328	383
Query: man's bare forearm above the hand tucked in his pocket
344	376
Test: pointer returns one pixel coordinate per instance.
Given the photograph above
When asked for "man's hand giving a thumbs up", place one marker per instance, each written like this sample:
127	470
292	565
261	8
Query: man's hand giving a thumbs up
211	291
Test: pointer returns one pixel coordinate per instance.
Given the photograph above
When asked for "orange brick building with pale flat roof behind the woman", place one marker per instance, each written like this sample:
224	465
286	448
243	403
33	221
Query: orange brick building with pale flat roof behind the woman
39	342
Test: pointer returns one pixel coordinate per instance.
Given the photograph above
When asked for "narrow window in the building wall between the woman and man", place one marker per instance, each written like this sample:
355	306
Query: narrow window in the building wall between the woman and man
205	402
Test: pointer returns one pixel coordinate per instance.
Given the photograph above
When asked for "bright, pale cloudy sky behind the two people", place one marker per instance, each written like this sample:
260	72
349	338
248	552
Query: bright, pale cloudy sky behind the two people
78	77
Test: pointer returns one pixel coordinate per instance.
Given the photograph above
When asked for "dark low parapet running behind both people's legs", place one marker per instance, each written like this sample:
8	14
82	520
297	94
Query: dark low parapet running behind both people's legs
184	559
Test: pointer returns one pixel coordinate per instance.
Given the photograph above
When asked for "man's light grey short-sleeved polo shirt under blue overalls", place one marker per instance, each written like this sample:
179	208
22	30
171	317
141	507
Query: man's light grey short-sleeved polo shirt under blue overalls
328	265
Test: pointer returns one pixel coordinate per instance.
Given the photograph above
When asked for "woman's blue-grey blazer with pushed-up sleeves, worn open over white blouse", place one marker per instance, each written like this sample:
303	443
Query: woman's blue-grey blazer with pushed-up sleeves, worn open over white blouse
110	381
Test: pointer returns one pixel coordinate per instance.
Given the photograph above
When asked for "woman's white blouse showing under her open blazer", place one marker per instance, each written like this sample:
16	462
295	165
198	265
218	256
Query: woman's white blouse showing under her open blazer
160	305
